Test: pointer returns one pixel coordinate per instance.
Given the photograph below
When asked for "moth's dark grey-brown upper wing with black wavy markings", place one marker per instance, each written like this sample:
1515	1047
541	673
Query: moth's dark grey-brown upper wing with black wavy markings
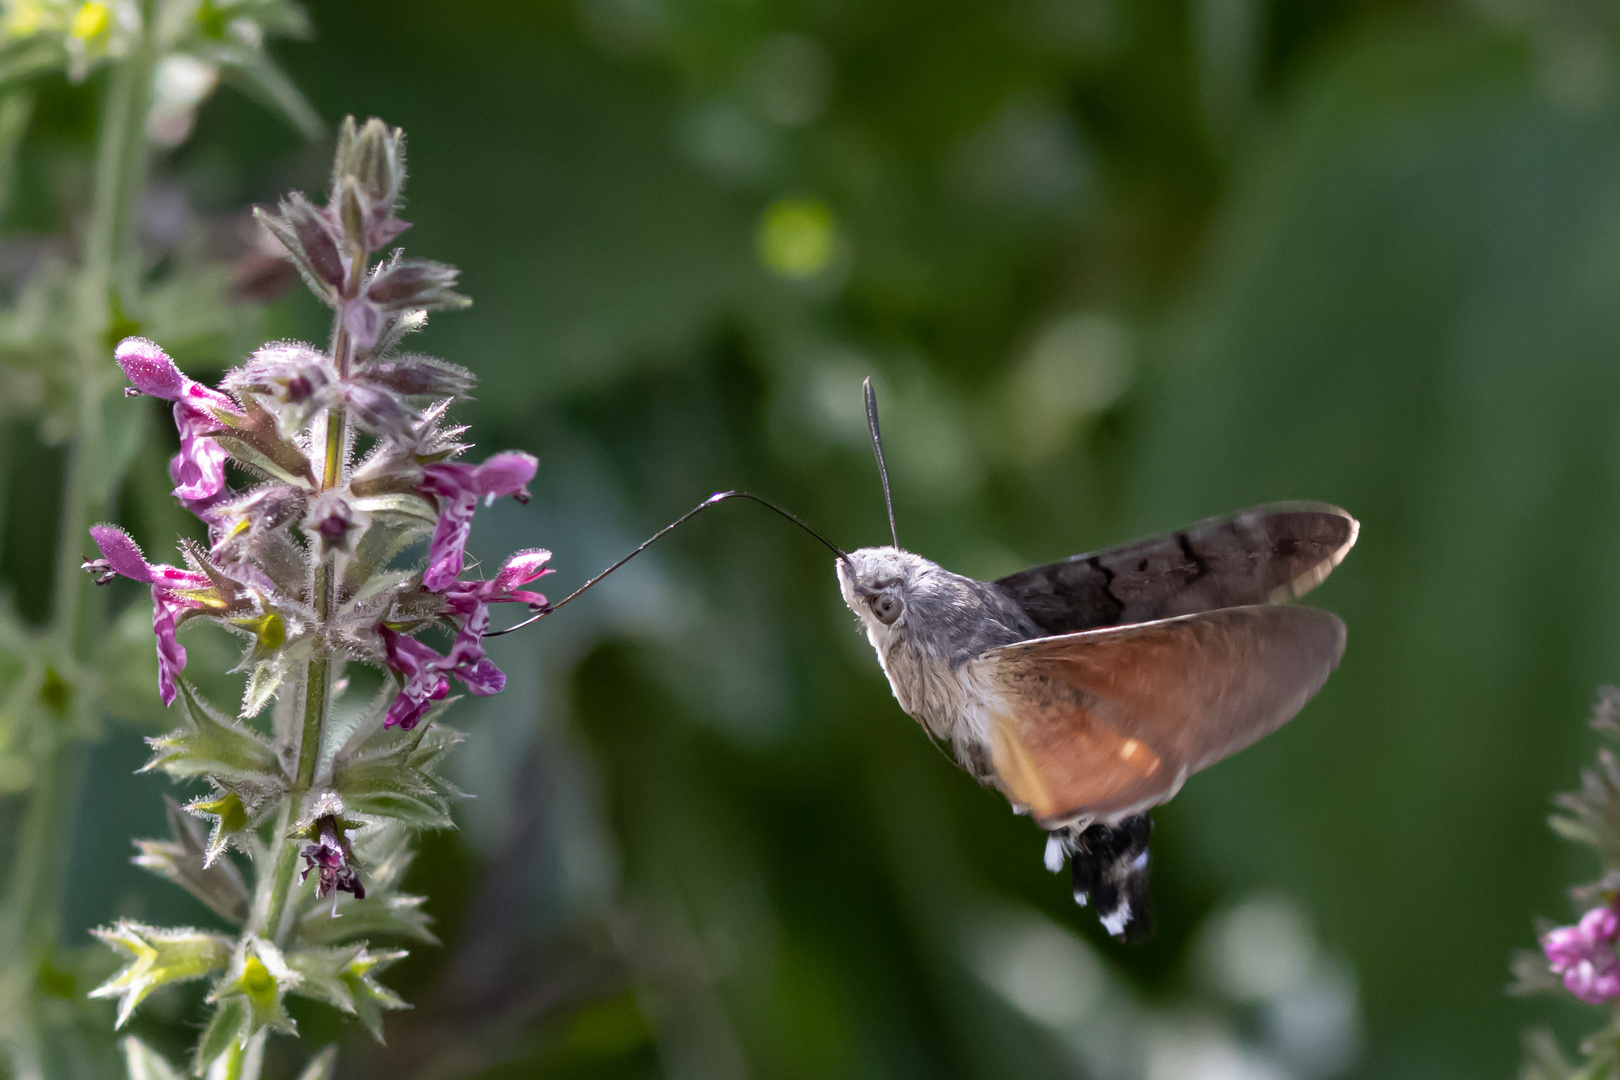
1260	556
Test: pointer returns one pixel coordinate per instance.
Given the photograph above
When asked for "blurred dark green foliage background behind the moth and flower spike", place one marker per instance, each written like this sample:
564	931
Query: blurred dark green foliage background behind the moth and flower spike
1115	266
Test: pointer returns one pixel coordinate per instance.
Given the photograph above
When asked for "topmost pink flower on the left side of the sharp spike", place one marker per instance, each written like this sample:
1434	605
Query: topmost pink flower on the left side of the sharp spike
200	467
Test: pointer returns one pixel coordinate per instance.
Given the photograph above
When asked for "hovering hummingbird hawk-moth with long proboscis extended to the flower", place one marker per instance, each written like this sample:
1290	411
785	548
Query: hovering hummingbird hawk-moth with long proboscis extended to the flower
1091	689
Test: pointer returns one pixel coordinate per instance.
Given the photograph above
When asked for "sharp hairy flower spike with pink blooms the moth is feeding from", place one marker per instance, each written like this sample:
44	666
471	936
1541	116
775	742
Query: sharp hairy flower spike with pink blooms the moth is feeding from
302	564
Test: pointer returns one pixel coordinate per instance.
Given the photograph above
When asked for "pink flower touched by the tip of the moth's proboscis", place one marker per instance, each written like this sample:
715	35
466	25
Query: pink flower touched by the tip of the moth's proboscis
425	674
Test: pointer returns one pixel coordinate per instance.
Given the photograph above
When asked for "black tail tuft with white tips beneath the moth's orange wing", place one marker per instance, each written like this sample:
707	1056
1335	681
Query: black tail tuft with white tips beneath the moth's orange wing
1111	872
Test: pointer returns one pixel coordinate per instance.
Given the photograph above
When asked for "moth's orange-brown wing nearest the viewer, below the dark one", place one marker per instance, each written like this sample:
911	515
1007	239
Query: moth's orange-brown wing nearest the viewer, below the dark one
1109	723
